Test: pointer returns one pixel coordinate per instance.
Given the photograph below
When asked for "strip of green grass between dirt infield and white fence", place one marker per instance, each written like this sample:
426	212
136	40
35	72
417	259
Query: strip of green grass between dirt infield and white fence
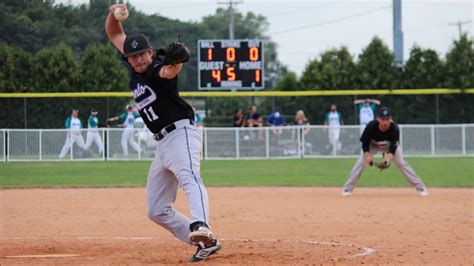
435	172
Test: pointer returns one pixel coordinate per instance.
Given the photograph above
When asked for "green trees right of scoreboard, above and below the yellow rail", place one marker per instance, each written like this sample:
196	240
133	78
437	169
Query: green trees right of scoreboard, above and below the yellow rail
337	69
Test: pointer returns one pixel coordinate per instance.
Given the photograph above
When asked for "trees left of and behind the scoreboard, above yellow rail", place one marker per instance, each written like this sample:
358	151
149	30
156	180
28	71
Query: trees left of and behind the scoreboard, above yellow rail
65	48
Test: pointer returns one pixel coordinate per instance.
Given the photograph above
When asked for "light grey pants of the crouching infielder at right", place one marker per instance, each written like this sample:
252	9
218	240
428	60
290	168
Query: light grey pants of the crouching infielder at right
402	165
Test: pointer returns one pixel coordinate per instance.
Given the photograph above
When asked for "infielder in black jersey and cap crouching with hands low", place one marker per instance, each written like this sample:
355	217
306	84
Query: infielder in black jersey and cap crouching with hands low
382	135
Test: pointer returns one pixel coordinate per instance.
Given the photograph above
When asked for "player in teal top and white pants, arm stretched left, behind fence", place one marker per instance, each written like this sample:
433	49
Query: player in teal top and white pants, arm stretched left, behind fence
128	120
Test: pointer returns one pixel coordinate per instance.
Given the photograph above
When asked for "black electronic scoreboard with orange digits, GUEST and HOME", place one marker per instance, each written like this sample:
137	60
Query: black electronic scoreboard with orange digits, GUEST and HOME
230	65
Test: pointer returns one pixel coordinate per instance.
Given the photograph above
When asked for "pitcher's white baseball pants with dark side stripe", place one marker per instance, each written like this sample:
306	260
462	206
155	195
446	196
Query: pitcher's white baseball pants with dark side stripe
177	162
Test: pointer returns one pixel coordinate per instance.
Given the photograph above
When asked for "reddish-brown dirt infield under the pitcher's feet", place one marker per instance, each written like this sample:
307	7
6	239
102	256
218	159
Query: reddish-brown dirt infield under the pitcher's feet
256	225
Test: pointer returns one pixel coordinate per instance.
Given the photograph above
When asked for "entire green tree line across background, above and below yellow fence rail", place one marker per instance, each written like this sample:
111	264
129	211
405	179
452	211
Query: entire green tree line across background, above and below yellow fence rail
46	47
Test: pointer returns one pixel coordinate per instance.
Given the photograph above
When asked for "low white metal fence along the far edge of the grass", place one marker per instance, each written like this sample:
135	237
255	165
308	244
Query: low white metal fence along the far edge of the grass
229	143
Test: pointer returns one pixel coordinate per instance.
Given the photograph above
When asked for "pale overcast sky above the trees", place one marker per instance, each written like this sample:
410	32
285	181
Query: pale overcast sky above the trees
303	30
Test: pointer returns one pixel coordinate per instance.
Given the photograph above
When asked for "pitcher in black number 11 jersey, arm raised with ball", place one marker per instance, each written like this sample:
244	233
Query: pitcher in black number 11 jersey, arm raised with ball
177	158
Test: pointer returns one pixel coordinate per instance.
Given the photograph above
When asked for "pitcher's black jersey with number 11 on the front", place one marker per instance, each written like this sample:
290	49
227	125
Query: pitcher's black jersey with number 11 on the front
158	99
